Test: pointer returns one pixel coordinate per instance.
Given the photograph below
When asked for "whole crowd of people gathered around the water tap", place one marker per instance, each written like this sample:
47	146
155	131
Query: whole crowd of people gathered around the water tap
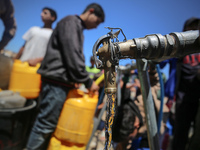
60	53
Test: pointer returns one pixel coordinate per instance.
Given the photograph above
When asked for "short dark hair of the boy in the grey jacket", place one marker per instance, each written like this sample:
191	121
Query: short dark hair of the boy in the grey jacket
98	10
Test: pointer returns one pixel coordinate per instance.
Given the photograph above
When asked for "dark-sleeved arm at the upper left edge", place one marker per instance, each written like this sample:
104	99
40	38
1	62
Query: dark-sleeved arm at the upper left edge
9	23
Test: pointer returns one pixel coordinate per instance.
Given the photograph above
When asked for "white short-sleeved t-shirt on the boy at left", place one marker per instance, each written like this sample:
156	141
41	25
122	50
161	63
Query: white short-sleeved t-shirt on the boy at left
36	43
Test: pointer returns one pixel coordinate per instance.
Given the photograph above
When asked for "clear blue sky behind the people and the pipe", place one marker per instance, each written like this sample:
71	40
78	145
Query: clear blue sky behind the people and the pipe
136	18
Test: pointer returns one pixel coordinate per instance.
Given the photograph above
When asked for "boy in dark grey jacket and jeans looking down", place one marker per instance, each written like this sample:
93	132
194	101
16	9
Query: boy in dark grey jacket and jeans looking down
62	67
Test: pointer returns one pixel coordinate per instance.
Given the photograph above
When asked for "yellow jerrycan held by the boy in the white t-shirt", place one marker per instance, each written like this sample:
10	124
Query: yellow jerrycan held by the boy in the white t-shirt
25	80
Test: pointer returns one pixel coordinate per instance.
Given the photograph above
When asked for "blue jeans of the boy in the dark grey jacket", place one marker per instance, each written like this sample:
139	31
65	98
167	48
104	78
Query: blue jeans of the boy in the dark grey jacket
52	100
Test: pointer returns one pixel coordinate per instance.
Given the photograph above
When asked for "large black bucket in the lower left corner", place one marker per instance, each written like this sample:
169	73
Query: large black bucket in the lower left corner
14	126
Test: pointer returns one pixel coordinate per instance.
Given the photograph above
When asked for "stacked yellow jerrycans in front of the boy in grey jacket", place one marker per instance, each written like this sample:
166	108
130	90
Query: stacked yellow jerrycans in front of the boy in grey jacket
75	123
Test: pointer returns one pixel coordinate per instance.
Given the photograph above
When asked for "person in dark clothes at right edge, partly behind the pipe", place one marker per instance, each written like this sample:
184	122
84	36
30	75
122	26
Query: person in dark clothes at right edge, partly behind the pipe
187	94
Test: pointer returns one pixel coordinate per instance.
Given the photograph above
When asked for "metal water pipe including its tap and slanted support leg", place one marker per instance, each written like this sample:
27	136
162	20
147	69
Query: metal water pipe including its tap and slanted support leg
153	47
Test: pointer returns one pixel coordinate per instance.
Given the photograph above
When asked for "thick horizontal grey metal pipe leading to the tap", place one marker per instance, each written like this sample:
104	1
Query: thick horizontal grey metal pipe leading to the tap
156	46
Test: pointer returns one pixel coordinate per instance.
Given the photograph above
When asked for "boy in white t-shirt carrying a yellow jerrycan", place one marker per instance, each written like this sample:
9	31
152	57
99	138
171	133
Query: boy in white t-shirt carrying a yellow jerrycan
37	38
